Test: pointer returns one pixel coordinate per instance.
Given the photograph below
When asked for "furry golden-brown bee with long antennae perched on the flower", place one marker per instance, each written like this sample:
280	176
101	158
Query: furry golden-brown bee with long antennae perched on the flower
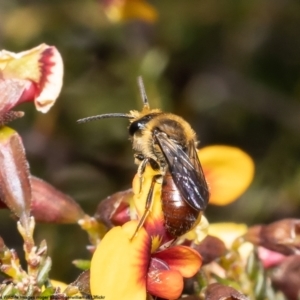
168	144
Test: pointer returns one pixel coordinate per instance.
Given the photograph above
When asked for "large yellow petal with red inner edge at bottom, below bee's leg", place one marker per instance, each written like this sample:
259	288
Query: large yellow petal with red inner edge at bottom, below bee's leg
119	264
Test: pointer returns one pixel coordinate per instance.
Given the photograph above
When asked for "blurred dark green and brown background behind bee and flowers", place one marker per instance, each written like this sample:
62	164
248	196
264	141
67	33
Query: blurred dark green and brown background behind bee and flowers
230	68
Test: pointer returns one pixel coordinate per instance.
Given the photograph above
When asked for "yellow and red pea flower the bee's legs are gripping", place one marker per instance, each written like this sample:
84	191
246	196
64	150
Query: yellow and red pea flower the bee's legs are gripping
129	263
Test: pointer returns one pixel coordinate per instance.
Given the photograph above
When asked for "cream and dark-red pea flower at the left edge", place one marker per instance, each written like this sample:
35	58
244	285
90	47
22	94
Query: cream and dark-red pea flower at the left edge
32	75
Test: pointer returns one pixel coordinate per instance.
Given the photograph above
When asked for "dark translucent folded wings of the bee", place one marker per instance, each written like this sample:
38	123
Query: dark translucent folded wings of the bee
186	171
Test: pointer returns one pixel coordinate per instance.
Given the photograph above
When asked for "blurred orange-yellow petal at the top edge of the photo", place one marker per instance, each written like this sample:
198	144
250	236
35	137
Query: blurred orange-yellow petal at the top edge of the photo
131	9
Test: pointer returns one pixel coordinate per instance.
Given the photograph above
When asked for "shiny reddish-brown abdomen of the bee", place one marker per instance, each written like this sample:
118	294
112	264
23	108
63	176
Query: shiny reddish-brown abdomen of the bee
179	216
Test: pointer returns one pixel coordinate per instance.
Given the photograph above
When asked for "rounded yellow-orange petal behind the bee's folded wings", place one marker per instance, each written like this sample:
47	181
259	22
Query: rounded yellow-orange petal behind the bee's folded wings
228	171
